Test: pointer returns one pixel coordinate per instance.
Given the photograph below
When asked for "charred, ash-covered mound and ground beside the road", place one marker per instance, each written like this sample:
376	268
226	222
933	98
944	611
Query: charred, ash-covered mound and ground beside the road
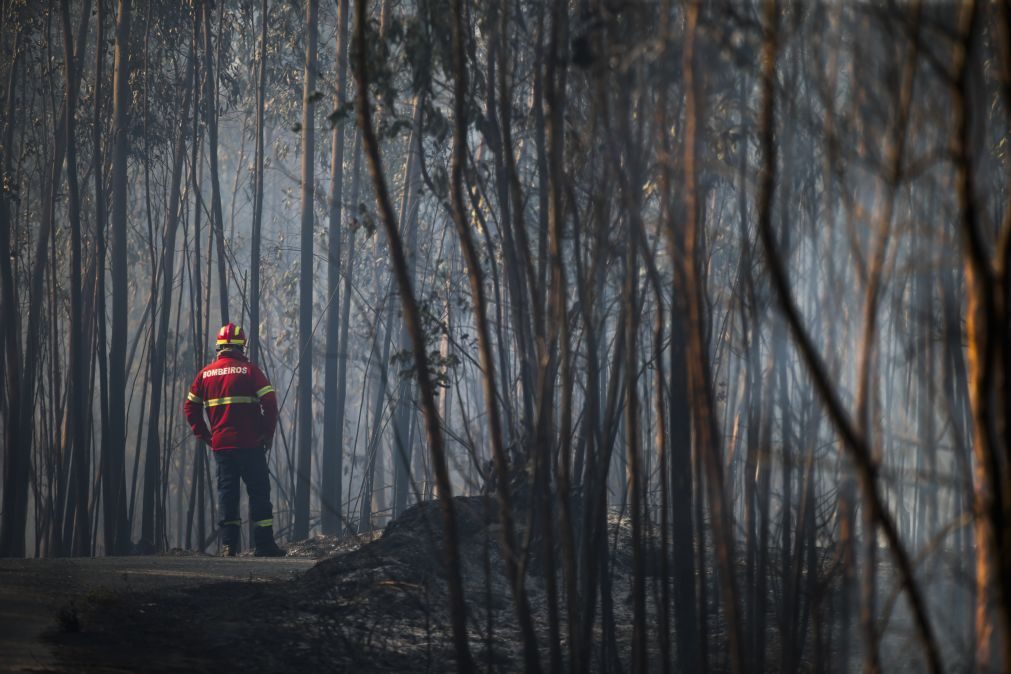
371	606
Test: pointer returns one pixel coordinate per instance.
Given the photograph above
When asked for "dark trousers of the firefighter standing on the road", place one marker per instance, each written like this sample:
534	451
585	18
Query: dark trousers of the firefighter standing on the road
250	466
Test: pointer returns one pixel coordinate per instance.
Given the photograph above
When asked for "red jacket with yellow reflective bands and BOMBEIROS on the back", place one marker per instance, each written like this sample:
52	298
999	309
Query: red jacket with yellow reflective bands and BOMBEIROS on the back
240	402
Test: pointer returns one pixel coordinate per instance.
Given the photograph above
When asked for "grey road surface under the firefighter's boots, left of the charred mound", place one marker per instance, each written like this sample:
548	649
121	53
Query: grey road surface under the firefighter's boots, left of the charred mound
35	593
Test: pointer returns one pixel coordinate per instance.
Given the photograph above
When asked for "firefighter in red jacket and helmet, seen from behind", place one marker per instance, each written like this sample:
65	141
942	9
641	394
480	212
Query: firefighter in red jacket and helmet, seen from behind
242	407
